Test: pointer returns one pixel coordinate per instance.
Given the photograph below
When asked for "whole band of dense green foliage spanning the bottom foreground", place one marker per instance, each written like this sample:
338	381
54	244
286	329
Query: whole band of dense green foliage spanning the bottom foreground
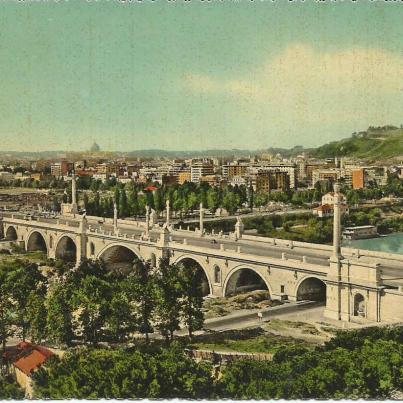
364	363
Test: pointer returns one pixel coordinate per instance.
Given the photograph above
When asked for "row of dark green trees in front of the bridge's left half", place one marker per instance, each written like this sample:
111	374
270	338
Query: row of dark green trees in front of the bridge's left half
92	303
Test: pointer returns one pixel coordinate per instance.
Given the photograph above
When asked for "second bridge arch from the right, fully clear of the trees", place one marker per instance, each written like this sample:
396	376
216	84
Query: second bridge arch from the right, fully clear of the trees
244	278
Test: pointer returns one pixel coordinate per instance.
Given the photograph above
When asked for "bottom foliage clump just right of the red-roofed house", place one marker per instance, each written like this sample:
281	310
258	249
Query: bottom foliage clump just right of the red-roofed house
125	374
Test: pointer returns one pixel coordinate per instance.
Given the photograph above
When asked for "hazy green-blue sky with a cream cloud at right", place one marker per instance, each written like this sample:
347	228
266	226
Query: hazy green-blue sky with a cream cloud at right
190	75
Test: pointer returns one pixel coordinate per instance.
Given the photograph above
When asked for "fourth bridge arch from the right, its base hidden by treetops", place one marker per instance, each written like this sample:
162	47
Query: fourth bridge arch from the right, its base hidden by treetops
118	257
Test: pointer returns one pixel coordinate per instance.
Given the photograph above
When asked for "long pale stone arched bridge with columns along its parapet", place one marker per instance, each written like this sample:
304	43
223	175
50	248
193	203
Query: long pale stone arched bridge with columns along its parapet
355	285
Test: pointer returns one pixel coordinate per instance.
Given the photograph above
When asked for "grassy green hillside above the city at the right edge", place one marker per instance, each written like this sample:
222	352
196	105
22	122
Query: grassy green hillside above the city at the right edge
377	143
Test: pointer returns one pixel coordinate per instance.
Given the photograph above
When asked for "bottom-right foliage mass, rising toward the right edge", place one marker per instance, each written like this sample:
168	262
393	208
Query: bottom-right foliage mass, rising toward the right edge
356	364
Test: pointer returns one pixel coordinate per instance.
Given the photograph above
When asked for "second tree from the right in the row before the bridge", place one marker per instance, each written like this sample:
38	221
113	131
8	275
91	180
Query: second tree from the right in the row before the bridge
168	293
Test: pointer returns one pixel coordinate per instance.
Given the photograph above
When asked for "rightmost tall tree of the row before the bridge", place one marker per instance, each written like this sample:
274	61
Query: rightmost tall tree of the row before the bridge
192	297
